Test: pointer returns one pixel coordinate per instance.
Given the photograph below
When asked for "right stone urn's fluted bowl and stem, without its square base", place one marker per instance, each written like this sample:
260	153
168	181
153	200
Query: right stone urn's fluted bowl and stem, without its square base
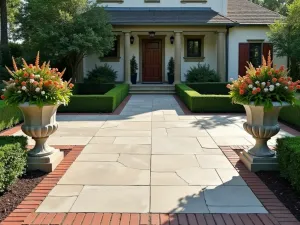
262	125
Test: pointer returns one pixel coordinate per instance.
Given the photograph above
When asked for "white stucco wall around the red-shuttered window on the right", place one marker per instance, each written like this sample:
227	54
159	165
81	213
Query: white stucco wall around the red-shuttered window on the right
242	35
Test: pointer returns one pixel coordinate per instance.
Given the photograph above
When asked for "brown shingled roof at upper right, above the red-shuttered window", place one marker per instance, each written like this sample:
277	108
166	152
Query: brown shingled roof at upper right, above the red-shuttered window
246	12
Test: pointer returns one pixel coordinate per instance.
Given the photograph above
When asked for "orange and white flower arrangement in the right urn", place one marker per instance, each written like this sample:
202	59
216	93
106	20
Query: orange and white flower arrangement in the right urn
264	85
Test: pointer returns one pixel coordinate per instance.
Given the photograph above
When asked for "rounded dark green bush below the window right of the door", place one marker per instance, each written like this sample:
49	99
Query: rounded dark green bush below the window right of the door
201	73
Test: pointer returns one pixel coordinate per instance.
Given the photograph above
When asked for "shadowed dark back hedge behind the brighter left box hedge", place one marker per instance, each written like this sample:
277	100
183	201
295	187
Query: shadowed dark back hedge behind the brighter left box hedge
92	89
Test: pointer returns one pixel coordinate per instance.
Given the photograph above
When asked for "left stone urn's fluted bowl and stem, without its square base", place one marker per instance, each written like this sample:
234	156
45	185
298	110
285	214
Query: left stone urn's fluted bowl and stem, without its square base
39	123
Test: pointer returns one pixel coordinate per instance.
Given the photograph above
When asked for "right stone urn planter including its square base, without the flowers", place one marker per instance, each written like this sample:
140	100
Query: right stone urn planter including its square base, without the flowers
262	125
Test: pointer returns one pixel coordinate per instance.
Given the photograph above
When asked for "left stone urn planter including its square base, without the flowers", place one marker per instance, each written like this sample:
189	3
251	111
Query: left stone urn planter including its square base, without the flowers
40	123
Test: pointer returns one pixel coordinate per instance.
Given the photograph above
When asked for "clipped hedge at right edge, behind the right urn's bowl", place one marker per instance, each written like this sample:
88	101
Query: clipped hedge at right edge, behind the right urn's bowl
291	115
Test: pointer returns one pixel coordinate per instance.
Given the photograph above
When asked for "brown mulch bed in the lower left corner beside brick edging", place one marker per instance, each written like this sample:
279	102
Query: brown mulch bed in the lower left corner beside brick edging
10	199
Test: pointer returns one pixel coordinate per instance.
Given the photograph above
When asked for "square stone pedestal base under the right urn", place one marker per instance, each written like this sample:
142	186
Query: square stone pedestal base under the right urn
255	164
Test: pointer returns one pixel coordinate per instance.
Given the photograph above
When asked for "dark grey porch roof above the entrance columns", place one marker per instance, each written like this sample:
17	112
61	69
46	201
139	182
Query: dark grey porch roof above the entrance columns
165	16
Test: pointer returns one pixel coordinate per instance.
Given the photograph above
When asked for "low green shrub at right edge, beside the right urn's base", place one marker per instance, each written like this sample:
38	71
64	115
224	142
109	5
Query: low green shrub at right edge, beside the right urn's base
288	155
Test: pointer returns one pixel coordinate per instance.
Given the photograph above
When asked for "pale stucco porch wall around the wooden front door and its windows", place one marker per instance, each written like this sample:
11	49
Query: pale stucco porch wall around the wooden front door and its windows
210	53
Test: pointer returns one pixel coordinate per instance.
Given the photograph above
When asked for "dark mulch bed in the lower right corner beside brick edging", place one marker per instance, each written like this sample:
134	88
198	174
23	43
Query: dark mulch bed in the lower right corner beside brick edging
283	191
